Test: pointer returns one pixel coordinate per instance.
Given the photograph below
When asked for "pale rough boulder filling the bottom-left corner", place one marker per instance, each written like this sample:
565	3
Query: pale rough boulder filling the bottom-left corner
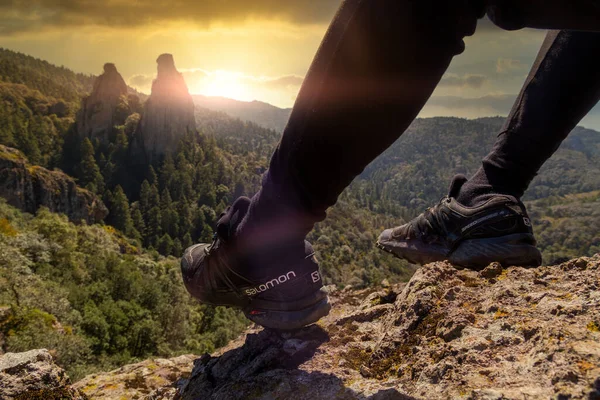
33	375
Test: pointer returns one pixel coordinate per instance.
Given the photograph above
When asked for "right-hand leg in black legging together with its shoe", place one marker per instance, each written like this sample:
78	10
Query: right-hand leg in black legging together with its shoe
483	220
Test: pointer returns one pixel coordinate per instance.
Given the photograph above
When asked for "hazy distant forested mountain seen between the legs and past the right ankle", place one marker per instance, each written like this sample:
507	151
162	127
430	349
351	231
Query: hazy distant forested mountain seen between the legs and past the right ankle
417	169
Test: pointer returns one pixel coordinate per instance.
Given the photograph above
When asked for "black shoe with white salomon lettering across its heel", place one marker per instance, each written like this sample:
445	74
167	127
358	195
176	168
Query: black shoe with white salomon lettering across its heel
276	286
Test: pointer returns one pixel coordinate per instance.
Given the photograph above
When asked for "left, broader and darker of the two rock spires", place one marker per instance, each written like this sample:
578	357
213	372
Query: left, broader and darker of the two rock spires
105	107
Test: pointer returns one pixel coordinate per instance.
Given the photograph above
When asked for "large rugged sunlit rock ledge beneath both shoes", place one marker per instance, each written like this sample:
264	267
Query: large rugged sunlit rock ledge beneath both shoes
499	334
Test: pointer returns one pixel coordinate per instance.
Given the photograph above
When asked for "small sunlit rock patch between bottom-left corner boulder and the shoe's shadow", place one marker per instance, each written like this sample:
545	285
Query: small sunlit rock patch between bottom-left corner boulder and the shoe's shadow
152	379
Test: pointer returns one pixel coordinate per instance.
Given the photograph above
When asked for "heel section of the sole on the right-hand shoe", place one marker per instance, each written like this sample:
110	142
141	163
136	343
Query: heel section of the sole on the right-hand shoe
510	250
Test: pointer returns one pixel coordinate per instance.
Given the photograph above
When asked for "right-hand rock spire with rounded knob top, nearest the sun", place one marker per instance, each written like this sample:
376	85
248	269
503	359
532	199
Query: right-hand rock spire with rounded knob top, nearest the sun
168	113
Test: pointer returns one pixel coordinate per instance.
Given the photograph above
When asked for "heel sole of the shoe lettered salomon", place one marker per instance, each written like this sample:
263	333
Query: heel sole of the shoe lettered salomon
287	318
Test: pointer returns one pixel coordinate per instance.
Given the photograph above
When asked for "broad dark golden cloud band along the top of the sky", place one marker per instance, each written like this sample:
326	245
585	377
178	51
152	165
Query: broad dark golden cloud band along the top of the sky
25	16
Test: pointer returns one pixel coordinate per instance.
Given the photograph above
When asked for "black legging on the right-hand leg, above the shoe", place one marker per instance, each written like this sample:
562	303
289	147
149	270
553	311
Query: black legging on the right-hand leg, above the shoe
562	87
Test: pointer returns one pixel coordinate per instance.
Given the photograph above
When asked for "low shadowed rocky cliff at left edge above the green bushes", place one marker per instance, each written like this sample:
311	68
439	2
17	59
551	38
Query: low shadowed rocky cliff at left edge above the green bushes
29	187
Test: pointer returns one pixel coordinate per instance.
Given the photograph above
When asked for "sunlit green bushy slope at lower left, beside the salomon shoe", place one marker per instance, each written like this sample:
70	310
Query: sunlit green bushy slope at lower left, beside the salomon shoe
95	298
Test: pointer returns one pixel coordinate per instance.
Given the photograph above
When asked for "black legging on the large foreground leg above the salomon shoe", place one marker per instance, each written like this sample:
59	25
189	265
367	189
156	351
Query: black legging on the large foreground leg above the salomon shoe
377	66
